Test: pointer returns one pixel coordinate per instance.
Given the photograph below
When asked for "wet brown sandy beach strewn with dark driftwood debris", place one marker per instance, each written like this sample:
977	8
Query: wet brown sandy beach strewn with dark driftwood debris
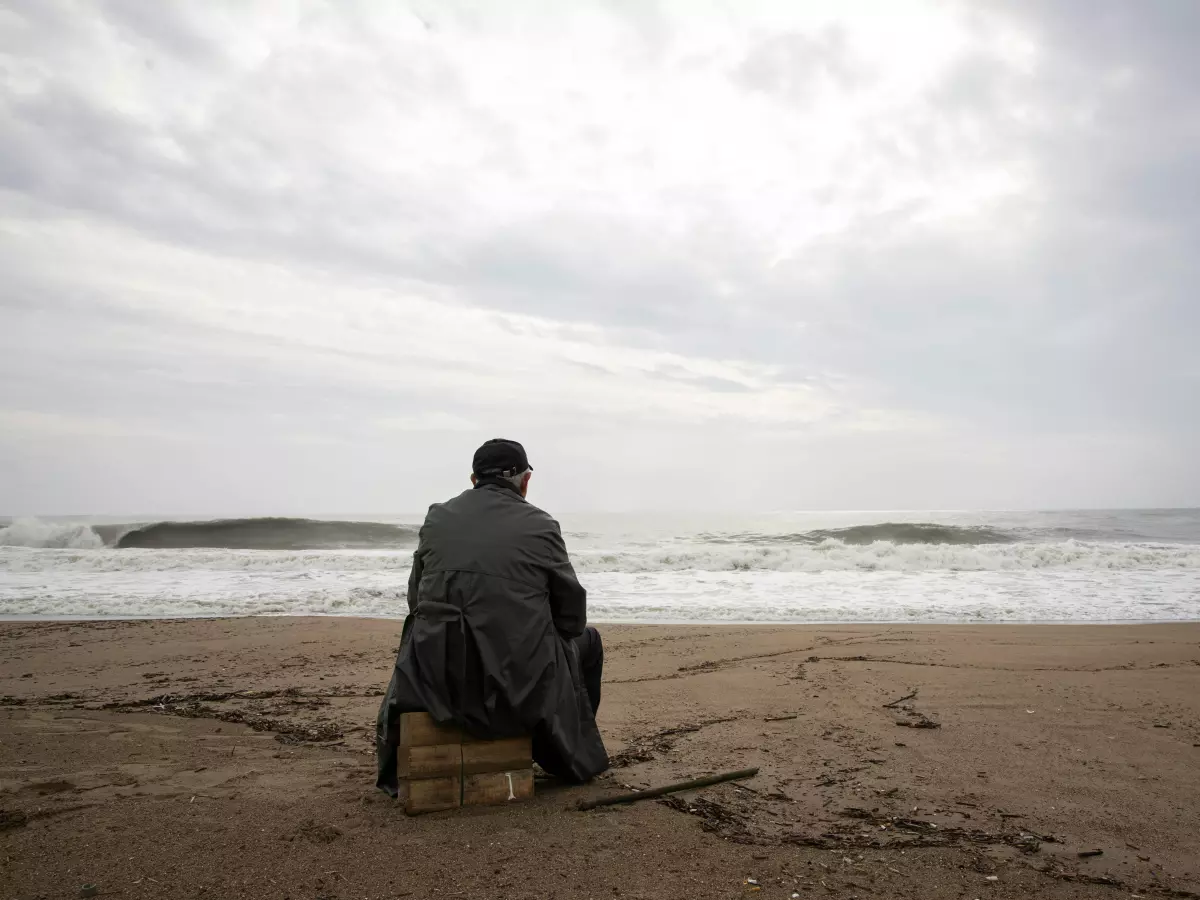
235	759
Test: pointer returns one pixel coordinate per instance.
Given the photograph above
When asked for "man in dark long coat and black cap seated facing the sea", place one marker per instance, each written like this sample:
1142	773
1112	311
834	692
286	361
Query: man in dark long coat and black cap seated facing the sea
497	640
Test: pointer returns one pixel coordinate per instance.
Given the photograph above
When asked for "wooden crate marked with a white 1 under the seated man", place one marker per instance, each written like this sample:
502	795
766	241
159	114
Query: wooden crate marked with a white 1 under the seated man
445	769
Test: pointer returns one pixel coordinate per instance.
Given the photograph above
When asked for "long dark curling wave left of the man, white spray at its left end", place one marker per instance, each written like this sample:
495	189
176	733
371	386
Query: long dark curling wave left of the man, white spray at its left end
269	533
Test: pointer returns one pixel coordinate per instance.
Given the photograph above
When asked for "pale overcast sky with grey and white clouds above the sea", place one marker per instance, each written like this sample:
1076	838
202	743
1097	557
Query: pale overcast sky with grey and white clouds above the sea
304	257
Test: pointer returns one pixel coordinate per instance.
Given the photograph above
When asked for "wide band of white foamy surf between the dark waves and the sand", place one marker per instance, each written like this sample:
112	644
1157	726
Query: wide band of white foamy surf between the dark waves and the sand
669	583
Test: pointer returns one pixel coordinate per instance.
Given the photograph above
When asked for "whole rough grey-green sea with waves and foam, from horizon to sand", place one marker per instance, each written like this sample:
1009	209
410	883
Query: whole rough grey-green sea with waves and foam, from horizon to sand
891	567
